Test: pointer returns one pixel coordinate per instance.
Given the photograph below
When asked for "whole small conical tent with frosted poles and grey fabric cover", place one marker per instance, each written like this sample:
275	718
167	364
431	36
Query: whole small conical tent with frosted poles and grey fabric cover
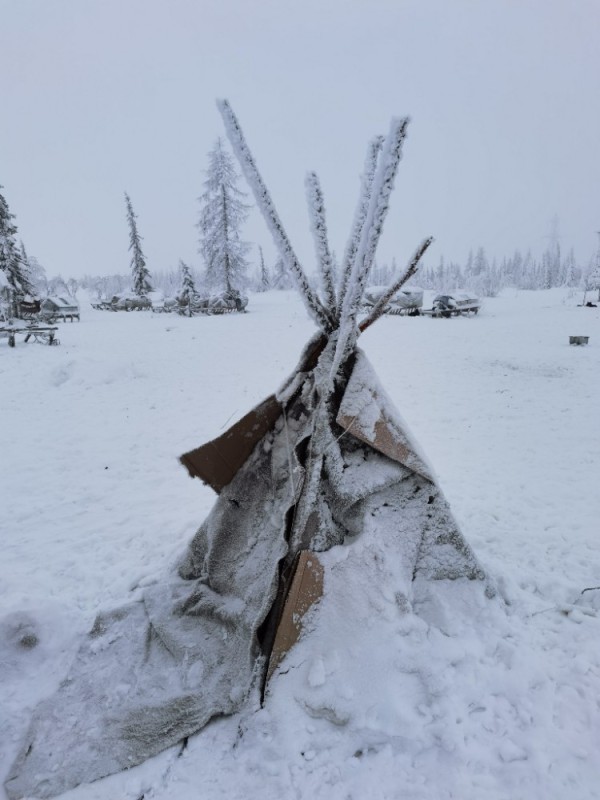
321	492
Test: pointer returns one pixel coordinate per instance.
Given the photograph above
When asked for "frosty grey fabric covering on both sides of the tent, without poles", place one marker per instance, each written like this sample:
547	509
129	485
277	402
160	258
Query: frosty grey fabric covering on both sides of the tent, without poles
155	671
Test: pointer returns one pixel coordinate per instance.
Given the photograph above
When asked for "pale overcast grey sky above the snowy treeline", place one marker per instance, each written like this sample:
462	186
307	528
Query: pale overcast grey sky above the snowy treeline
105	96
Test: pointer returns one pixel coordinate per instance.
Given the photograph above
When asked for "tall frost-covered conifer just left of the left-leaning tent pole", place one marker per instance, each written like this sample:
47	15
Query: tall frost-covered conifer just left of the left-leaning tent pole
221	218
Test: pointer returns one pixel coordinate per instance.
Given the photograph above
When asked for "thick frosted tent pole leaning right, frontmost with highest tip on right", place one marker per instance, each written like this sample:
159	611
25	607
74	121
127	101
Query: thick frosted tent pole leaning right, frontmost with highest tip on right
383	184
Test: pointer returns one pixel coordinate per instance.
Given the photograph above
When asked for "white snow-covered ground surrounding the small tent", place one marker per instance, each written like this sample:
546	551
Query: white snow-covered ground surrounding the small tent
494	700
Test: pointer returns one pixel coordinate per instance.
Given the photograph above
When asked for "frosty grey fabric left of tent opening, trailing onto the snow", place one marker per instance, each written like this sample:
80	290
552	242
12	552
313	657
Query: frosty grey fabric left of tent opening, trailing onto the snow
154	671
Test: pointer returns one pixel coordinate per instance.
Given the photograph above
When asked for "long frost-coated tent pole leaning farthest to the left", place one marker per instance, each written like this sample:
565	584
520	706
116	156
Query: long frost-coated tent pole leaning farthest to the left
263	200
